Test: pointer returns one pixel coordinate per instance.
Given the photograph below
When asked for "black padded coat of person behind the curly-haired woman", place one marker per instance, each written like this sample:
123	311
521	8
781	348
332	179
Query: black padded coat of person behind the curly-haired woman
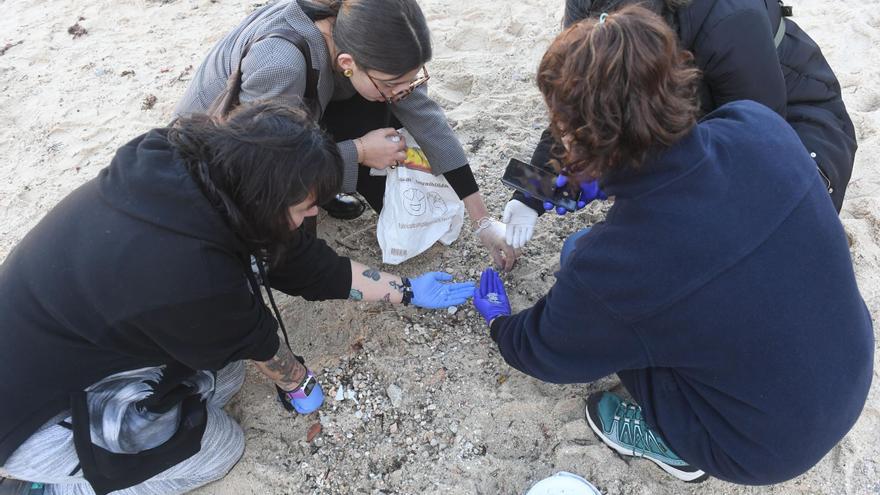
733	45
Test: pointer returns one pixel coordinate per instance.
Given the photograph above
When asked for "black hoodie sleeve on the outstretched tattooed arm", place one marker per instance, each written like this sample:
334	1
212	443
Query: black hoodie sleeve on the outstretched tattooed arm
311	269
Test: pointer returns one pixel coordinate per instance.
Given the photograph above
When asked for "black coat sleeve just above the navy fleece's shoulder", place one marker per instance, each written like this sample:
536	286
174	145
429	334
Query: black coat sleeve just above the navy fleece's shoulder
739	61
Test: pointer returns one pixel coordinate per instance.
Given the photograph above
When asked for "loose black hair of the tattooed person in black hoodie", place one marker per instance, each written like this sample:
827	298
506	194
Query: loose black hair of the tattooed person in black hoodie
255	164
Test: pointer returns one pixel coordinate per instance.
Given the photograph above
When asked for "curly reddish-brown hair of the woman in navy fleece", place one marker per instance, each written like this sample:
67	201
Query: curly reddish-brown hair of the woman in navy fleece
617	90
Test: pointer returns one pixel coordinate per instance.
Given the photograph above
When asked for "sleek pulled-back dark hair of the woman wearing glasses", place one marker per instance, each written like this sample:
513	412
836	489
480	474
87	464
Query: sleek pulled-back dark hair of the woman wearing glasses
389	36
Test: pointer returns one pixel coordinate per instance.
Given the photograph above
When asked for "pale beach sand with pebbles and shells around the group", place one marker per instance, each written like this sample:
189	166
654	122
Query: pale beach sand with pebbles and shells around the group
434	408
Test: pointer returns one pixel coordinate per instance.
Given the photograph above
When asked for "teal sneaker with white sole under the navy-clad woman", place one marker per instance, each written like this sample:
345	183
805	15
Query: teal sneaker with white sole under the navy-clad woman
620	425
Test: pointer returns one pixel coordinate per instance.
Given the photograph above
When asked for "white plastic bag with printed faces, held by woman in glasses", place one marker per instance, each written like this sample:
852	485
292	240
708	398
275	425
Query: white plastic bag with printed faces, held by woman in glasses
419	210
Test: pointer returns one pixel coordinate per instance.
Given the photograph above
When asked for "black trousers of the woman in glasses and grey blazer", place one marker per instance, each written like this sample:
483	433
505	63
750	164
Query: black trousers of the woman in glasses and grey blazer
352	118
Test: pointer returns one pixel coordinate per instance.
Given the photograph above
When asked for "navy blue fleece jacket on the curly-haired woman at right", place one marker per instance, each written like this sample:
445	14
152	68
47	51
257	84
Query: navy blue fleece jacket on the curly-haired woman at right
720	288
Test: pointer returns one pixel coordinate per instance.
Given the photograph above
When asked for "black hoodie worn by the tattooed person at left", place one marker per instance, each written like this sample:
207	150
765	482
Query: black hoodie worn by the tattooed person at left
133	269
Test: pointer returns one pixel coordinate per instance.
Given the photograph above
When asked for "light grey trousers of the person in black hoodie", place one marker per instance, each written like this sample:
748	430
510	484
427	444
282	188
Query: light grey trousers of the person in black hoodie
49	457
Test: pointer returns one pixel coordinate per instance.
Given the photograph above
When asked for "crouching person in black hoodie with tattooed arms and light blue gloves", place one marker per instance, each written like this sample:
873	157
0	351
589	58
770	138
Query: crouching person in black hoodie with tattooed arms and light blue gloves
128	310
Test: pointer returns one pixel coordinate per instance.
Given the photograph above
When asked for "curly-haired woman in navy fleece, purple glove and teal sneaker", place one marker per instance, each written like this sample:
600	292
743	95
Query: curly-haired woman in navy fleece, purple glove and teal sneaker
719	288
